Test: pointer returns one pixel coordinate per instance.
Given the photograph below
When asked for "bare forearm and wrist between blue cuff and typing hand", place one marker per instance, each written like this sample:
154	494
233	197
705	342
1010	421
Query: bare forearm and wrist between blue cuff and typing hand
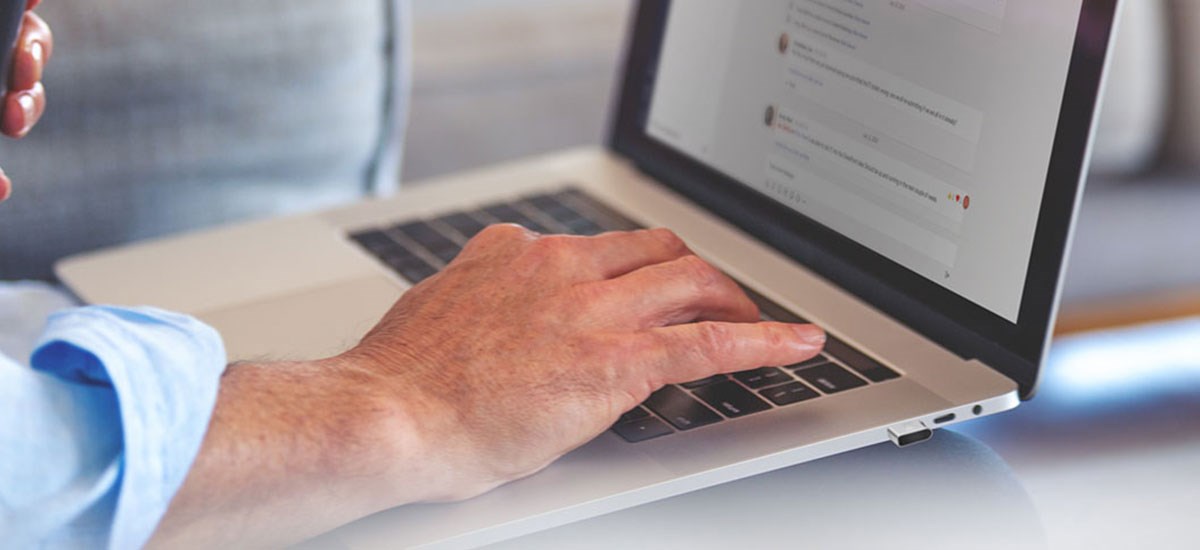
296	450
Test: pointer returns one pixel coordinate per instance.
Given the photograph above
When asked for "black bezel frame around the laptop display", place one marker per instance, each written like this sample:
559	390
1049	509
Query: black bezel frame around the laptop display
963	327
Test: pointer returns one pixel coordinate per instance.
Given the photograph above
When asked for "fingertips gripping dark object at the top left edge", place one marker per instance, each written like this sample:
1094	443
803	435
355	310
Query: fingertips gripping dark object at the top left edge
25	99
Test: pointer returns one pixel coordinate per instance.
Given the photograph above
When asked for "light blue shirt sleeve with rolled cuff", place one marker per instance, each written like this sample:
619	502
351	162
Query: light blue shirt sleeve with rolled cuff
99	429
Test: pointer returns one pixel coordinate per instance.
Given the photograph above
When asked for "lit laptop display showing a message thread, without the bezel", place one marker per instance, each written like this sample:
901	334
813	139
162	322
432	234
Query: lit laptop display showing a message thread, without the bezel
920	129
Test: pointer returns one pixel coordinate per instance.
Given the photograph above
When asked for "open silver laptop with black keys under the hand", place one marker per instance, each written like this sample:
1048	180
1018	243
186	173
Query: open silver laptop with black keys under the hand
905	175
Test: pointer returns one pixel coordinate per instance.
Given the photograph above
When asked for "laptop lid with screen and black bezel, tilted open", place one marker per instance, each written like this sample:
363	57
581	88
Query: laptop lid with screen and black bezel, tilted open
926	156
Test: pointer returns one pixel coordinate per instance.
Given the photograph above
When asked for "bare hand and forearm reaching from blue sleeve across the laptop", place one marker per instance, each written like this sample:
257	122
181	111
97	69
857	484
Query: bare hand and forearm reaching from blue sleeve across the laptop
524	349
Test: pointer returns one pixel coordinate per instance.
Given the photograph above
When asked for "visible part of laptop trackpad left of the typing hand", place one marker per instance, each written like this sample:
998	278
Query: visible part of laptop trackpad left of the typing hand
310	325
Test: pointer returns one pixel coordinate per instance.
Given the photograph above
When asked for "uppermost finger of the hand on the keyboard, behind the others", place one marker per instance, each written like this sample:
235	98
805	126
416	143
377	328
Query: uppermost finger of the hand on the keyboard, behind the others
616	254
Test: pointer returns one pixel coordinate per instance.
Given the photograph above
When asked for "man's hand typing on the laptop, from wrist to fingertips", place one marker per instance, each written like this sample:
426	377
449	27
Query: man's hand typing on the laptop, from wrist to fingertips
527	346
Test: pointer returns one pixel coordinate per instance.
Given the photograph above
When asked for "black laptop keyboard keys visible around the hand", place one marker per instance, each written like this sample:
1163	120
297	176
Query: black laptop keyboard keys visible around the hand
417	250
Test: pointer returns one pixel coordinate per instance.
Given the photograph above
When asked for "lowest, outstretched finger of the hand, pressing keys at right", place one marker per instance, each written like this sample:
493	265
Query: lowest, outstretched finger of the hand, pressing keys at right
697	351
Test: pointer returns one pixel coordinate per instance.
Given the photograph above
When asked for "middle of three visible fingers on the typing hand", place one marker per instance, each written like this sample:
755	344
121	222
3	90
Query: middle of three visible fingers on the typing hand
675	292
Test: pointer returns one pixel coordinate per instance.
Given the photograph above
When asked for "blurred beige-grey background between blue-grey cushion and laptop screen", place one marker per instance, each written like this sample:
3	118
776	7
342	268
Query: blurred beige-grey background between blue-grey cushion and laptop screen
500	80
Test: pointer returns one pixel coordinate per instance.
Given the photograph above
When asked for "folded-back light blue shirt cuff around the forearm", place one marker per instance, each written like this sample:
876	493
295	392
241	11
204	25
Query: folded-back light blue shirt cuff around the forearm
165	370
